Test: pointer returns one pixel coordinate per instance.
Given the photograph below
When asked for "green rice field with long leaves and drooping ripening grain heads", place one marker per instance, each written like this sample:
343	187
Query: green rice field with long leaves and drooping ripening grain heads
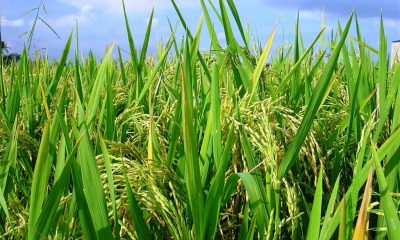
236	142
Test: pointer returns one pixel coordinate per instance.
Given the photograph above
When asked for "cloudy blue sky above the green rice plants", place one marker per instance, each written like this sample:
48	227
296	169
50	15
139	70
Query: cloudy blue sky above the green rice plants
101	22
